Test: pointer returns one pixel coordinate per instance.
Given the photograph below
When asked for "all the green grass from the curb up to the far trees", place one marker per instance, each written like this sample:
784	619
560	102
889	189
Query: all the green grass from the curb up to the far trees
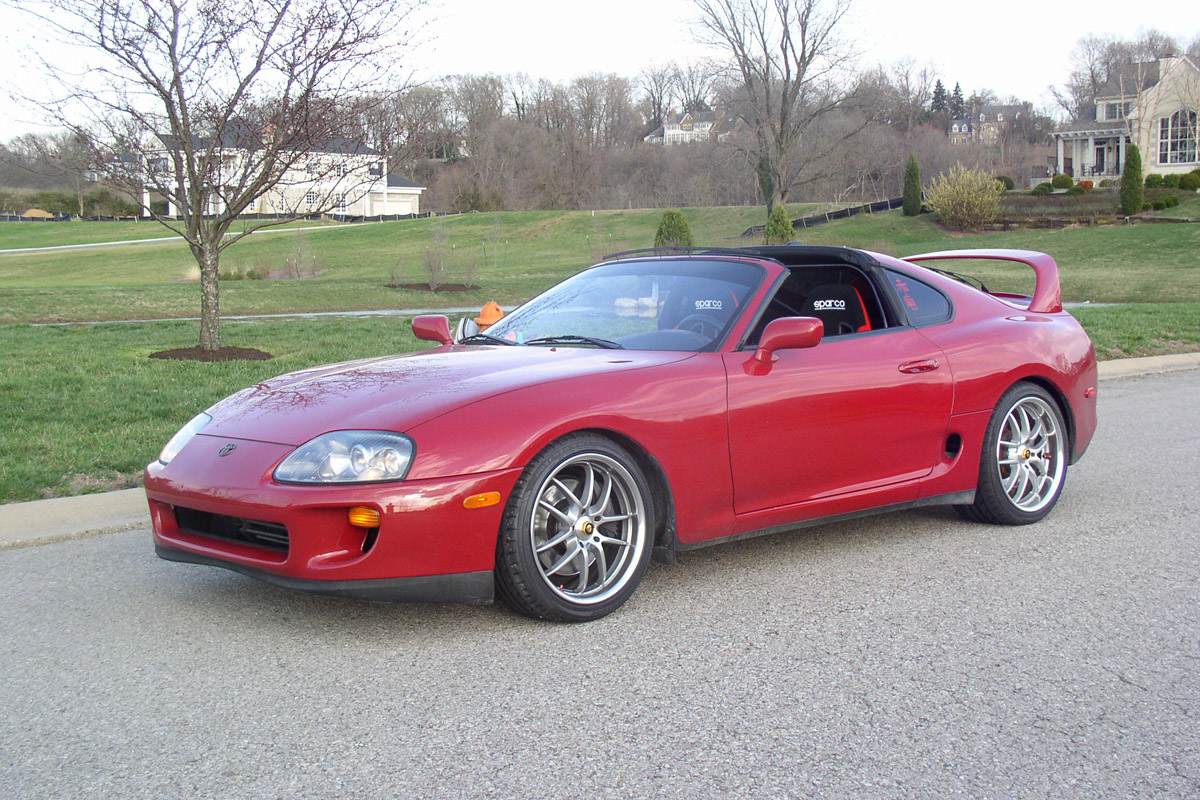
86	408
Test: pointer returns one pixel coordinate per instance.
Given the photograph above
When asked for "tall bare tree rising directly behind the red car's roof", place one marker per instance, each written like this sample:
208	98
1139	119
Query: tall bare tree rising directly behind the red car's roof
791	73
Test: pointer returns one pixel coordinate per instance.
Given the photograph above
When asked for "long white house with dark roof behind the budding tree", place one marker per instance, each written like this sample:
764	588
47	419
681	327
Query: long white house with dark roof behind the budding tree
339	178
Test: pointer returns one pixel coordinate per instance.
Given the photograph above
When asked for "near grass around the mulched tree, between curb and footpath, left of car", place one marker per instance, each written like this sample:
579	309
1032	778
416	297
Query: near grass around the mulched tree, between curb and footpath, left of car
87	408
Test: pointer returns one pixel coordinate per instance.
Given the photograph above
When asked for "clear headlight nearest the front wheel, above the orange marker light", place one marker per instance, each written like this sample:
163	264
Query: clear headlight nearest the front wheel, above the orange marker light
349	458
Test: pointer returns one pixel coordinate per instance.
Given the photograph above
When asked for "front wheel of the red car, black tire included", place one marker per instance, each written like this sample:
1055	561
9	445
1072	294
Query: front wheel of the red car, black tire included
578	532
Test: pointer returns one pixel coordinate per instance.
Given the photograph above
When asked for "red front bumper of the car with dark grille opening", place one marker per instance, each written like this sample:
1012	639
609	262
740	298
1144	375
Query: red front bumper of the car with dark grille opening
428	549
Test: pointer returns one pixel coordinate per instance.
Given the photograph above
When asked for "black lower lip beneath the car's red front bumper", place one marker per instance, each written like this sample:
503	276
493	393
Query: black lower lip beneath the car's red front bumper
475	588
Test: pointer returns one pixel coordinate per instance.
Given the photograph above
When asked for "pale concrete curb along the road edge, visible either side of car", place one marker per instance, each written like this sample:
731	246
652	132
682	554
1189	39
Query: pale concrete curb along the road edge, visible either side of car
41	522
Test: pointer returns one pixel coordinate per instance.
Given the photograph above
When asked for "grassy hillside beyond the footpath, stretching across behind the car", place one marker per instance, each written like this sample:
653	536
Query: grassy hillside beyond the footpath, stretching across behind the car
512	256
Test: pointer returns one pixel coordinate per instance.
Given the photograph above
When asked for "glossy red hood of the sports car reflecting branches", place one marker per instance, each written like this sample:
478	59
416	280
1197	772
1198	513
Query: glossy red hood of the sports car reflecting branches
399	393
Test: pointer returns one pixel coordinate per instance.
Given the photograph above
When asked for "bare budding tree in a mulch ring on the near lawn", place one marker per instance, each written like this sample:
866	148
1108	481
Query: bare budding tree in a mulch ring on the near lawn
214	105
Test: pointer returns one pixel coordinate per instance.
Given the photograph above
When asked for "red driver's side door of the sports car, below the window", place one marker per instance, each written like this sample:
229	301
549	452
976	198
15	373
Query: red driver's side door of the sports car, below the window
851	414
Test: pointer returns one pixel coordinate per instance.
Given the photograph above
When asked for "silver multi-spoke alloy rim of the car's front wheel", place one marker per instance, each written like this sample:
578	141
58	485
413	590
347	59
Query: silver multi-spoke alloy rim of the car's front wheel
589	528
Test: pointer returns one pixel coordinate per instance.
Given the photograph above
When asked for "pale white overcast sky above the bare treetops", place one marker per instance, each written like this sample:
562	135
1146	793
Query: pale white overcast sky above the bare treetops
1012	47
